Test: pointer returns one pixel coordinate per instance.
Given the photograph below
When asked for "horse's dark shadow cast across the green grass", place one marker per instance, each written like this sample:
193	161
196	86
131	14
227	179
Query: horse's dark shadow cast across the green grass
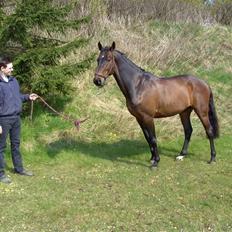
120	151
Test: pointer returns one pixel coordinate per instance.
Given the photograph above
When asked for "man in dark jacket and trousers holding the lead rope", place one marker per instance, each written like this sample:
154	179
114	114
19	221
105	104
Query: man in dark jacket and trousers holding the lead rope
10	108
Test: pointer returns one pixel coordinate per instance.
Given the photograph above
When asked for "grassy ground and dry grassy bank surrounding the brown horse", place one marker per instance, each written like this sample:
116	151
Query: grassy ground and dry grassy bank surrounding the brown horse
99	179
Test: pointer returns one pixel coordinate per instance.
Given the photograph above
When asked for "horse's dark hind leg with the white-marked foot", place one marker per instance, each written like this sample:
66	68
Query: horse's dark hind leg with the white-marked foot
185	119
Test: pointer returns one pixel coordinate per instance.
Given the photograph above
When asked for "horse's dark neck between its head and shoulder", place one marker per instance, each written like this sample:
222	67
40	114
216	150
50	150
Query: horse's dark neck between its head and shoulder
126	75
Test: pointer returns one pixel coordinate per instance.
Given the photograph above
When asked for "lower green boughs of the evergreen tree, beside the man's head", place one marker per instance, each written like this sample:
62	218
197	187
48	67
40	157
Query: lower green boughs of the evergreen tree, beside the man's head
39	68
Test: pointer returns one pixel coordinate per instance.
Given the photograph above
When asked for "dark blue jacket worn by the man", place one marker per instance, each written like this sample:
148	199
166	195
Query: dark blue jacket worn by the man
10	98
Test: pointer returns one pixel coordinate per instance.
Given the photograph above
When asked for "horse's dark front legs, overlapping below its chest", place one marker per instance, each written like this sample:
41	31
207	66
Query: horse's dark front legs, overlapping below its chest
148	129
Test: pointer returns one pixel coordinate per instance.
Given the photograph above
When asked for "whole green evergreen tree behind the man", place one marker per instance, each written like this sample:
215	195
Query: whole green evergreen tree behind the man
36	56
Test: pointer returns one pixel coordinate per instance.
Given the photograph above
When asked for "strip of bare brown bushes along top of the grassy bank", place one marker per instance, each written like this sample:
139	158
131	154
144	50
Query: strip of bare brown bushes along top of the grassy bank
171	10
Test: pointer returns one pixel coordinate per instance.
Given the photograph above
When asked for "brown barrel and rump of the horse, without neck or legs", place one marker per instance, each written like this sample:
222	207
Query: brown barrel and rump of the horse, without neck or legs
167	96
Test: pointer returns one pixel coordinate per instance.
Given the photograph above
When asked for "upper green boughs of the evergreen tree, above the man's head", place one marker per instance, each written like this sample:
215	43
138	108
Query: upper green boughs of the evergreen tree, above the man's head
41	14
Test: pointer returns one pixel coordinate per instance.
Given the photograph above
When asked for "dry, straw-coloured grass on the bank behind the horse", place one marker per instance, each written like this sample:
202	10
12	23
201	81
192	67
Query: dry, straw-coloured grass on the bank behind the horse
163	48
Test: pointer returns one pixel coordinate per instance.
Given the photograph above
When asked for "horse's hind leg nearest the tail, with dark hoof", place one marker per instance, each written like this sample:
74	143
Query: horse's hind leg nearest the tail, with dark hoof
209	131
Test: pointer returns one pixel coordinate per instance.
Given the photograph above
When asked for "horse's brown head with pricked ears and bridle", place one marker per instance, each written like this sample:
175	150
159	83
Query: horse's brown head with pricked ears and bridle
105	64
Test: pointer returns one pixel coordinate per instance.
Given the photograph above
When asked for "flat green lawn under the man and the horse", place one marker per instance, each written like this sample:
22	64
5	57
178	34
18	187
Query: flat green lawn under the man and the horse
108	186
